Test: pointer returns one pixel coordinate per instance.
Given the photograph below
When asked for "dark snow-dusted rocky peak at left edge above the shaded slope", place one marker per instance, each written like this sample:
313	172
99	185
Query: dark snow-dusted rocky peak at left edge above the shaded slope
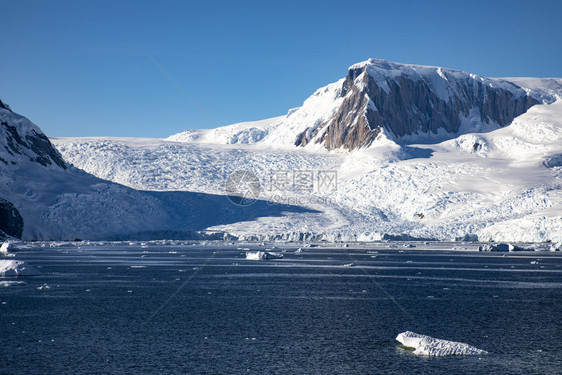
21	140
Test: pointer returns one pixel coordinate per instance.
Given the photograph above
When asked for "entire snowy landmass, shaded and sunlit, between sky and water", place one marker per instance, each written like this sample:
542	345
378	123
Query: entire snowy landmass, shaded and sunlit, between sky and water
334	168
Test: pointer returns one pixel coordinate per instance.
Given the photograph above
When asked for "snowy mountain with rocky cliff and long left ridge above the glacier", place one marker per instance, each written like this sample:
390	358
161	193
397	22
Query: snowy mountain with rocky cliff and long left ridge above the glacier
380	100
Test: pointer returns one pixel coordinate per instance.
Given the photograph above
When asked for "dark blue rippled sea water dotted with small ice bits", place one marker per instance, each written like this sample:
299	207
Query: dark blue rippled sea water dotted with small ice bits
205	309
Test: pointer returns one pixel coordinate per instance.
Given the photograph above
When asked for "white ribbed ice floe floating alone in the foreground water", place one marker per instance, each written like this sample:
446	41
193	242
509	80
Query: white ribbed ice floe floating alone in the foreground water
427	345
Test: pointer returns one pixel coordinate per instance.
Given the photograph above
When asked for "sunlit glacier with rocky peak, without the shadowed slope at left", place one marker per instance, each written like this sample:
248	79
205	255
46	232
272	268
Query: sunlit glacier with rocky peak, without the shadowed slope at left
492	171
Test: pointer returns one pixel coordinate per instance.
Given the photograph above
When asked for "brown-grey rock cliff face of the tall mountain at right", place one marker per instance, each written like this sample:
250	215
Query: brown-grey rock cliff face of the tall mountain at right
404	100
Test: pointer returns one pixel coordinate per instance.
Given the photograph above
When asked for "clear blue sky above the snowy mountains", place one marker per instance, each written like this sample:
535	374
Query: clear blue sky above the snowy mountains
84	68
